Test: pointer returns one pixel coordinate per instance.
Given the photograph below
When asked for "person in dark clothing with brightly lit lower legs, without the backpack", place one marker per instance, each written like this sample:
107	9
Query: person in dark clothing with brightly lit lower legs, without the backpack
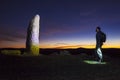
99	44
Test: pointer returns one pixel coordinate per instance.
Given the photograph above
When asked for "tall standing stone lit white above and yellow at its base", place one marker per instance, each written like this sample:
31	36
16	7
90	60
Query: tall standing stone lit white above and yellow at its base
32	42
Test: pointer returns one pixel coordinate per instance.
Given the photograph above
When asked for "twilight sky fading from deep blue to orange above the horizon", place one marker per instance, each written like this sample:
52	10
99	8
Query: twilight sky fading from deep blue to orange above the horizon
63	23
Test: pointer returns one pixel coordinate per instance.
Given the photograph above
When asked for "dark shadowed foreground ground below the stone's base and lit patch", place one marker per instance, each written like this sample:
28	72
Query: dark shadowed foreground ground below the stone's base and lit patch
56	67
